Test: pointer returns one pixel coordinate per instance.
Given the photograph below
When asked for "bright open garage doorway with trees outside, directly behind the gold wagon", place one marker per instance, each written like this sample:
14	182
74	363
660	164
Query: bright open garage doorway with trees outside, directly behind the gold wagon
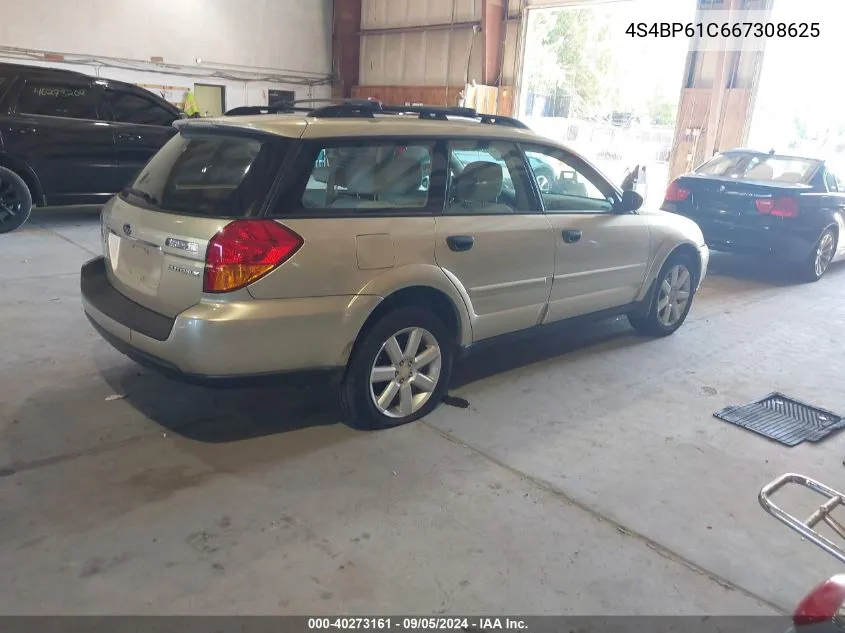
608	95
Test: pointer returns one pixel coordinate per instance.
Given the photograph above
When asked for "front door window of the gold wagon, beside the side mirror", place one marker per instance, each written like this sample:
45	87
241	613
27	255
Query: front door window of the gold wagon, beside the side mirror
564	187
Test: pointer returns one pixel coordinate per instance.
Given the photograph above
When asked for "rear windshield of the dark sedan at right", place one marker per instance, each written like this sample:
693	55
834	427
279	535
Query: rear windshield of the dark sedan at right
762	167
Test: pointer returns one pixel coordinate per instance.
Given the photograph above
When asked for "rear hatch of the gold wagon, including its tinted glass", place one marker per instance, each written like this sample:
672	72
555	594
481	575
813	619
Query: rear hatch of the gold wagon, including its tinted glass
156	231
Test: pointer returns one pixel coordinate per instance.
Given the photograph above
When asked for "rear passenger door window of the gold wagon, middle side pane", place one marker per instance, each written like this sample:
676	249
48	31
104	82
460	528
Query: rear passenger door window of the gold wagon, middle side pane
486	178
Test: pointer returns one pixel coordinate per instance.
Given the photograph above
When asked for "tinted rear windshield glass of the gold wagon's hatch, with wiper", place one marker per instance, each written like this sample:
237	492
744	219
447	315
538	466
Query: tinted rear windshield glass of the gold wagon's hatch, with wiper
210	174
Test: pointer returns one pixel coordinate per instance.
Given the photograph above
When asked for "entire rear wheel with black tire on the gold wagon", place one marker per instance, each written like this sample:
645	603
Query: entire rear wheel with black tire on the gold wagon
358	396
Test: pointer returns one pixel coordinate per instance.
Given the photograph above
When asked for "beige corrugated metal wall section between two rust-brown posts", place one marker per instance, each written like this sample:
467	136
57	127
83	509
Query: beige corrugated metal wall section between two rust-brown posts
423	57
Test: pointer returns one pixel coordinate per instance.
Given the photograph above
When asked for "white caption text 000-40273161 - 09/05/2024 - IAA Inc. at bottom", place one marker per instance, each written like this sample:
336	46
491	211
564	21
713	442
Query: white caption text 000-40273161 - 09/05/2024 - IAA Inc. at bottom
417	623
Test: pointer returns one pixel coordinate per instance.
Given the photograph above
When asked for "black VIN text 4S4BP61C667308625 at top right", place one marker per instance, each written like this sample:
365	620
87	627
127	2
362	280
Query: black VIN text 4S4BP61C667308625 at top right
724	29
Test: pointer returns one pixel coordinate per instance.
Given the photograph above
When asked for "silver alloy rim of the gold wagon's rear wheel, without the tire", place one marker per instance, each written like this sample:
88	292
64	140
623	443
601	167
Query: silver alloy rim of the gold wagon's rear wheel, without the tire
405	372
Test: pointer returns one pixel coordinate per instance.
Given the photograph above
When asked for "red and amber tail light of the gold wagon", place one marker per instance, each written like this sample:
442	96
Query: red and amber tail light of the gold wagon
244	251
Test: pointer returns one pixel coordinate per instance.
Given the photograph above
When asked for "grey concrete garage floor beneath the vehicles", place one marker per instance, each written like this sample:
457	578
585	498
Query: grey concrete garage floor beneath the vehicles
587	476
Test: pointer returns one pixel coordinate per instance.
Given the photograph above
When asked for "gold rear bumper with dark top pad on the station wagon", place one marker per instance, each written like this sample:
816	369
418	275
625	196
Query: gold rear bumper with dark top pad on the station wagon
223	342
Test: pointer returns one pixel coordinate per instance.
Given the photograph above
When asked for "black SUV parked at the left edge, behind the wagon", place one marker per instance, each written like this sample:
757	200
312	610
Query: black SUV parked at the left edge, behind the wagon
67	138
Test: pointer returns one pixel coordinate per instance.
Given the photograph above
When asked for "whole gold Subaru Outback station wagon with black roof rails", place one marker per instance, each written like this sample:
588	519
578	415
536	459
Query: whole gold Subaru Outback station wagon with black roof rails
374	242
